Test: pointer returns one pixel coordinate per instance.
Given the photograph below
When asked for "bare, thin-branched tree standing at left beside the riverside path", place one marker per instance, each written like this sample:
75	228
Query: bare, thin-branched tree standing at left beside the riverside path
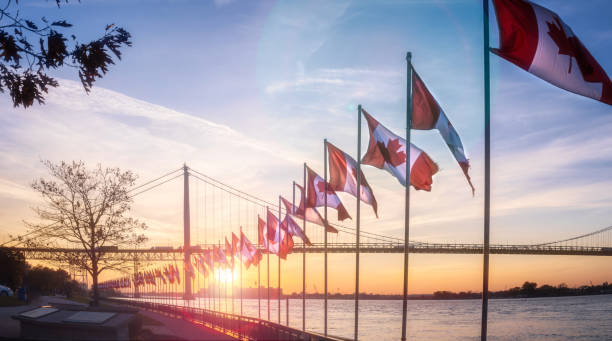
86	209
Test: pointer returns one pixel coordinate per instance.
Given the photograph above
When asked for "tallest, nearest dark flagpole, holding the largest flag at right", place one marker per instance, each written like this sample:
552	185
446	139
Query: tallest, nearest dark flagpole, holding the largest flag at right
487	156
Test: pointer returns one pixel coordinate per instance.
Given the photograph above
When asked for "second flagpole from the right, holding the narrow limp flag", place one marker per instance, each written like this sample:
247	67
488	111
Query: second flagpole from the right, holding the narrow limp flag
407	202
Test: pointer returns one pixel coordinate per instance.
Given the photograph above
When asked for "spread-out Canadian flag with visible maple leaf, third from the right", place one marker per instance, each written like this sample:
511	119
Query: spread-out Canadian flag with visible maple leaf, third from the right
388	151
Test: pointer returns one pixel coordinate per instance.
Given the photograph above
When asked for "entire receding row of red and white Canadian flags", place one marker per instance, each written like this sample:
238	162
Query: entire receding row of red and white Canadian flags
531	37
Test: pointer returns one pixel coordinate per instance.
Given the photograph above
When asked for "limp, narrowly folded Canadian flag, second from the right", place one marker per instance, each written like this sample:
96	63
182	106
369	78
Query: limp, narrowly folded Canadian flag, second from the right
427	114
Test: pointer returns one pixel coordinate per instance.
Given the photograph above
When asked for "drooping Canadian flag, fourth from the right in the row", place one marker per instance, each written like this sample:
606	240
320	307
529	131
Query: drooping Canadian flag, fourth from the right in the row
343	176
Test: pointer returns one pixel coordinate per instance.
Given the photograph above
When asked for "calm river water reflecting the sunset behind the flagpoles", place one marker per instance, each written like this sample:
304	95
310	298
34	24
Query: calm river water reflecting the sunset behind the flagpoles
537	319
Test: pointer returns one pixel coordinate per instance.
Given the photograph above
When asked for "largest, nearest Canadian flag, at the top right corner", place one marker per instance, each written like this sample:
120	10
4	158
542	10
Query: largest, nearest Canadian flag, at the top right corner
537	40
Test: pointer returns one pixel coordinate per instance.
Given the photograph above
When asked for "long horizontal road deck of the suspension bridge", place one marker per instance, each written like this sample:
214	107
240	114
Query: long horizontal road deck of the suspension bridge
171	254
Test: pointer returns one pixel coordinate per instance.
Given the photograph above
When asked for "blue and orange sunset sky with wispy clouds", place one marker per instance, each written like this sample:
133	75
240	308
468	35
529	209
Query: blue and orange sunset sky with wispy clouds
246	91
